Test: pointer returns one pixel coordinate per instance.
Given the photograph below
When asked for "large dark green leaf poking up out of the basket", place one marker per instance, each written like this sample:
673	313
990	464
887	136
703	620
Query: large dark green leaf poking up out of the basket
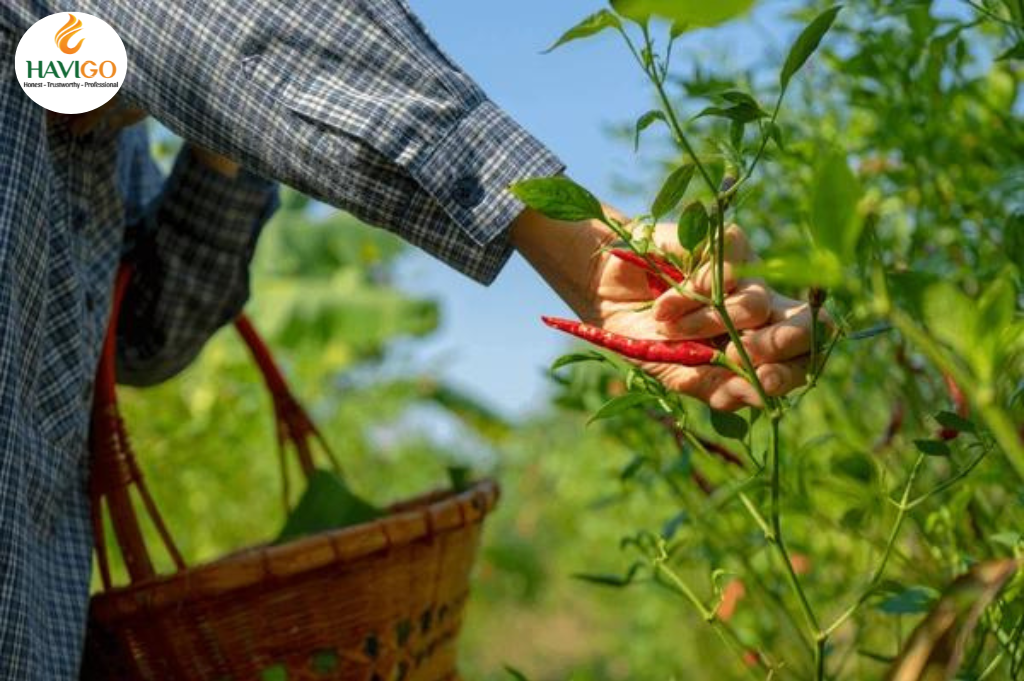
326	504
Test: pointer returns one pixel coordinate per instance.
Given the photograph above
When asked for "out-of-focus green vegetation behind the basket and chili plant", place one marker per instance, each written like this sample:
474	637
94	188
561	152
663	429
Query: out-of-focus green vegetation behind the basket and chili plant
931	120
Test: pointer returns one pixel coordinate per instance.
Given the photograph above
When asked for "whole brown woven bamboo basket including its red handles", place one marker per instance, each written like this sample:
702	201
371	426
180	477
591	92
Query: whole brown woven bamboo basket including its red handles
381	602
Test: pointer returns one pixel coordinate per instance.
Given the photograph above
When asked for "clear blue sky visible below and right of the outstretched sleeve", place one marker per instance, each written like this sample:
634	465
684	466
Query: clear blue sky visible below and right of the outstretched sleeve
492	342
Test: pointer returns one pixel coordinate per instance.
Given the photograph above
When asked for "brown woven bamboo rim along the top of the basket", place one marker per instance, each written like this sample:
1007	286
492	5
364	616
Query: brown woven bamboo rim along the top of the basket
415	520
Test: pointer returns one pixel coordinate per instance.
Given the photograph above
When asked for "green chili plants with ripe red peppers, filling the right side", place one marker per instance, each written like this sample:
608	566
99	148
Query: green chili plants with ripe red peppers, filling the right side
959	342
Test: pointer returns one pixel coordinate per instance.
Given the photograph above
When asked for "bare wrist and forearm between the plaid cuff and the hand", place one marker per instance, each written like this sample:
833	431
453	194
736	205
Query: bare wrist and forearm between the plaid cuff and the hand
570	257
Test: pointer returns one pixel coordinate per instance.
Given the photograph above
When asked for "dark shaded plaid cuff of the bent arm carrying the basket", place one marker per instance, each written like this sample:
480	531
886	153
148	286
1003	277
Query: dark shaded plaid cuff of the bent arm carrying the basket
222	212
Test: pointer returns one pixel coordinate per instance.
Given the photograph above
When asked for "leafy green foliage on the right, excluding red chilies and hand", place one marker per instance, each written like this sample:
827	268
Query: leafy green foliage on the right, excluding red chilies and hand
895	175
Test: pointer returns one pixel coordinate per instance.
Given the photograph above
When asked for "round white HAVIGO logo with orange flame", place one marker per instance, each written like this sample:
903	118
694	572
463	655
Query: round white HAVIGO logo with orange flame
71	63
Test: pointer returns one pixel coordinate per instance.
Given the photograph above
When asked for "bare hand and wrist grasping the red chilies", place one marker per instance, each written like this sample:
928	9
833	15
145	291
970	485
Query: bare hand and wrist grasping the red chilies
616	295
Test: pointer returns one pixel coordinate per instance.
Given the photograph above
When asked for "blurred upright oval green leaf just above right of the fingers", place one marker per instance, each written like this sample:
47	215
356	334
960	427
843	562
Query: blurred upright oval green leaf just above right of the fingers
835	225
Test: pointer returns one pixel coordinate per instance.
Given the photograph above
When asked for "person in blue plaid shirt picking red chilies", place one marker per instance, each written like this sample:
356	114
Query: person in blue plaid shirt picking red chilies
349	102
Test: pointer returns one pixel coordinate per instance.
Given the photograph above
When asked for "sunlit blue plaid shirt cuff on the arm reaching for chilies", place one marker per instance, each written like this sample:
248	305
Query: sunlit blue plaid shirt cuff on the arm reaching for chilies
470	171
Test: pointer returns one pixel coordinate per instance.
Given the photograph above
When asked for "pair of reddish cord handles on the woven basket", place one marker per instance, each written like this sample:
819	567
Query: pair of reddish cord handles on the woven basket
115	470
